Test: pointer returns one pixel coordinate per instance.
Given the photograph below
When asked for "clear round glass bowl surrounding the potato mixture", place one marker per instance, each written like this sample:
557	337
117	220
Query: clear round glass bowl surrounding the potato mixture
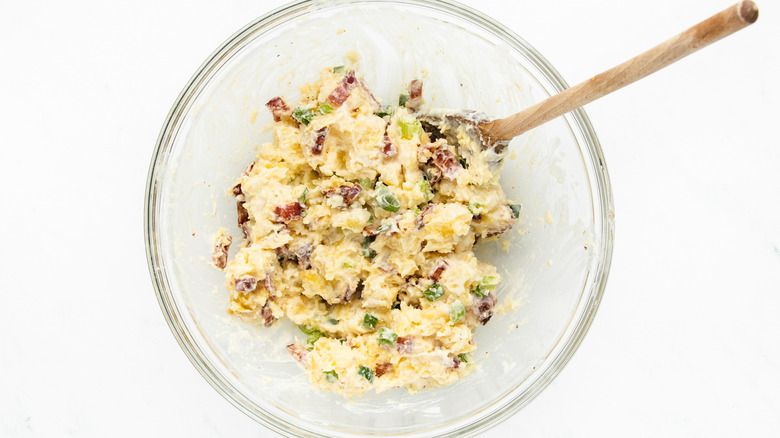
554	263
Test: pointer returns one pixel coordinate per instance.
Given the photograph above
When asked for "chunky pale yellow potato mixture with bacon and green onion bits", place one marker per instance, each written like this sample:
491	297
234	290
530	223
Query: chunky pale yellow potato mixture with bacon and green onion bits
359	227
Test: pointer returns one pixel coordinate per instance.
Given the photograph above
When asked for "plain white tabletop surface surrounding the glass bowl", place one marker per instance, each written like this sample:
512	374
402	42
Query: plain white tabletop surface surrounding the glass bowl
685	342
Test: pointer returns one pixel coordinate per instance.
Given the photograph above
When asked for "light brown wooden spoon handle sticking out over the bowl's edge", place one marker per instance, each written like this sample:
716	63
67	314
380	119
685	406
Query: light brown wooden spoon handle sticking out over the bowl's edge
708	31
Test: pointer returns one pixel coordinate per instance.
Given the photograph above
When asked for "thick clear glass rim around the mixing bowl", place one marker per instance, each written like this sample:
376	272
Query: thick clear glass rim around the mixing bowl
581	318
